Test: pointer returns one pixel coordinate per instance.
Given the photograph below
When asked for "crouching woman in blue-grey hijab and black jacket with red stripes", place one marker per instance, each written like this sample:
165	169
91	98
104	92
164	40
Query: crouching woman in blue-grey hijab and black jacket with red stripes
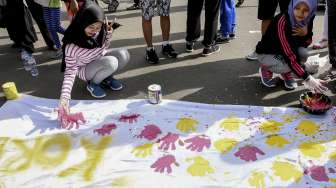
278	51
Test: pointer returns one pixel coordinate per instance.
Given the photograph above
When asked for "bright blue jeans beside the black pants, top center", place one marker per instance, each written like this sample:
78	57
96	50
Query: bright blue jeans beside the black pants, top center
227	17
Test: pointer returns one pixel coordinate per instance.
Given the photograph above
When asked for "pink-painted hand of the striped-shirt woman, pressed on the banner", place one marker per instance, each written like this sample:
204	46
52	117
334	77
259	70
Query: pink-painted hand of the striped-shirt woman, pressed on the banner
68	120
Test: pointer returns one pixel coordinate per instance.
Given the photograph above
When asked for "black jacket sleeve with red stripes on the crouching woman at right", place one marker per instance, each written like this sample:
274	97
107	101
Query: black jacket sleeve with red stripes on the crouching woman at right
288	49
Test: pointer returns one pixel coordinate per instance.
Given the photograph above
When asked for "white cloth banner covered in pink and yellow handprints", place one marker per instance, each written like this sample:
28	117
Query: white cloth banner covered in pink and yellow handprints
130	143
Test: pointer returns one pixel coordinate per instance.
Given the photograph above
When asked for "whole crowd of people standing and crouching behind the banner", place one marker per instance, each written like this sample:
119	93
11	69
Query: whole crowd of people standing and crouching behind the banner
85	52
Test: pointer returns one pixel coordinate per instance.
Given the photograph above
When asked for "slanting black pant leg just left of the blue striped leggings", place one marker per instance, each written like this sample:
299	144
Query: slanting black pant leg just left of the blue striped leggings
36	11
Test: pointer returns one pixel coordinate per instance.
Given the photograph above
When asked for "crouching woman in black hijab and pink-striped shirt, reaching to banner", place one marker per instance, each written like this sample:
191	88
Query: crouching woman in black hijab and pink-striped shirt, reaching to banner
84	43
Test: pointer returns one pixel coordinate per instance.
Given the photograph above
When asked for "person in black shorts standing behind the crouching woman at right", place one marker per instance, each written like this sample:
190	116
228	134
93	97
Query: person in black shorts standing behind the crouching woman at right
266	11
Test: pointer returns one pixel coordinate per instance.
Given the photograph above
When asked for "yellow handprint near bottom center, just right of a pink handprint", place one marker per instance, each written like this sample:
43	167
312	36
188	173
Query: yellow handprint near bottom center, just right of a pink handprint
200	167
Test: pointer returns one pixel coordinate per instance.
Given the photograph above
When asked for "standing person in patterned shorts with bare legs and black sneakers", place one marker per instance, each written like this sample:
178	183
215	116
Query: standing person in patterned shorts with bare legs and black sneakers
148	12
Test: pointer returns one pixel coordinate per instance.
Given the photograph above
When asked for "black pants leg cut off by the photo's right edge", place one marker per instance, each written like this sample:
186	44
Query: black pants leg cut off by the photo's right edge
332	31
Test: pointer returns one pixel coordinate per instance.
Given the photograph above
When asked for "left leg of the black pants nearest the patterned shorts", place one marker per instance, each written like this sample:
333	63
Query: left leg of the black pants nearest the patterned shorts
194	10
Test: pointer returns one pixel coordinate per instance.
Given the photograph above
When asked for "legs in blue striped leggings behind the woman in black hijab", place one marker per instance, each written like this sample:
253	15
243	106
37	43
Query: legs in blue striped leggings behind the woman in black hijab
51	16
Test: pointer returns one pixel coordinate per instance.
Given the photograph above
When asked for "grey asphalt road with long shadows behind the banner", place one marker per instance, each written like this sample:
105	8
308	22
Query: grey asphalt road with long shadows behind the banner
223	78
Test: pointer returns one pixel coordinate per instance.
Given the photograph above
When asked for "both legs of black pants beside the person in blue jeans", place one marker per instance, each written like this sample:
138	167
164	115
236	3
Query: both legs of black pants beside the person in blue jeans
194	22
